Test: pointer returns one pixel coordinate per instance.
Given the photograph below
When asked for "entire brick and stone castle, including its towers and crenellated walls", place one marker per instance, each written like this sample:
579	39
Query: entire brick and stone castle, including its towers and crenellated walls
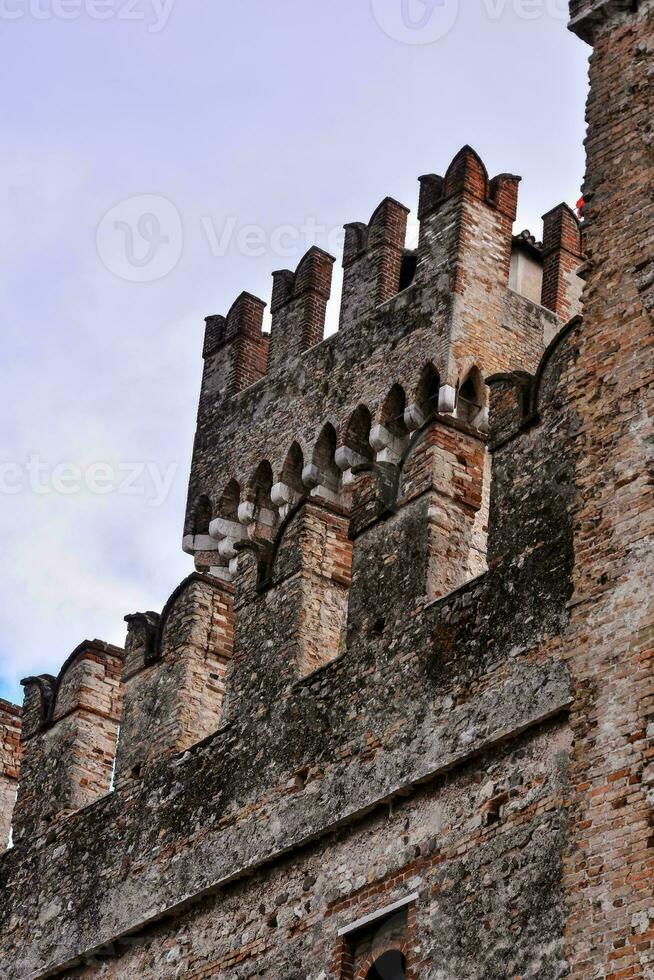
400	720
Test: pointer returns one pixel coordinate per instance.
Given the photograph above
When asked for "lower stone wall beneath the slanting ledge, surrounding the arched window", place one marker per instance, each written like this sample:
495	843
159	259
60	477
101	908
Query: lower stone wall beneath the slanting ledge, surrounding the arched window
481	849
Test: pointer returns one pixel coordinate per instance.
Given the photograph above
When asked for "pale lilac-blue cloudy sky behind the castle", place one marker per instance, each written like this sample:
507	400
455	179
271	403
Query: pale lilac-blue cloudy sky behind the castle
159	157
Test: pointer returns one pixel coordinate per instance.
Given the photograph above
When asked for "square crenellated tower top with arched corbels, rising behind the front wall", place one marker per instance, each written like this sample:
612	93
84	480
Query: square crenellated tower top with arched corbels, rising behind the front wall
419	331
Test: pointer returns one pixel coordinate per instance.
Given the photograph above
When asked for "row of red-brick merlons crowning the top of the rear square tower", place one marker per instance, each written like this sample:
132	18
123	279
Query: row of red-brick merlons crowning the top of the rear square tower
377	267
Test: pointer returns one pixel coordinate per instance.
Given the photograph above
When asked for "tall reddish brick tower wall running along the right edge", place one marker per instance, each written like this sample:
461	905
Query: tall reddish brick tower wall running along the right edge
610	864
